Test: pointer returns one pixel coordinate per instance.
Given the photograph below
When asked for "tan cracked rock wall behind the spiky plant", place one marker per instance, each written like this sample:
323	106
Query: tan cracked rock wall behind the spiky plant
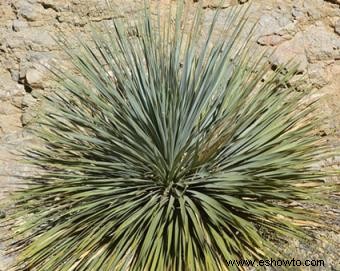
306	30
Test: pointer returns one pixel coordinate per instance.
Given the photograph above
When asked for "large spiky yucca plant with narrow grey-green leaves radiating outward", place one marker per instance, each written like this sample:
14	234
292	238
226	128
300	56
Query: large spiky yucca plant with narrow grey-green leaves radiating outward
168	148
